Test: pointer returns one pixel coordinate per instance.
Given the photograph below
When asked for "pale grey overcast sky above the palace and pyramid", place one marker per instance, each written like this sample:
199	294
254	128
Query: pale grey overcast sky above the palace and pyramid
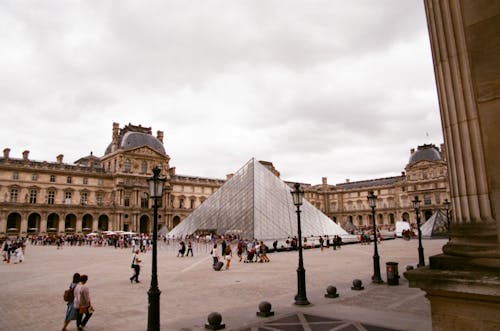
337	89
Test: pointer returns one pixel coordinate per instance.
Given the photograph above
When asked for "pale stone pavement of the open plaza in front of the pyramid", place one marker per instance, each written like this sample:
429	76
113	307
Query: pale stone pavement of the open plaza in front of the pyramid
31	292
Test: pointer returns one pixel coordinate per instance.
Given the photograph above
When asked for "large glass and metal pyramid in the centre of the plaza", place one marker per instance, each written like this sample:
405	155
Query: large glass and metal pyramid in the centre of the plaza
255	203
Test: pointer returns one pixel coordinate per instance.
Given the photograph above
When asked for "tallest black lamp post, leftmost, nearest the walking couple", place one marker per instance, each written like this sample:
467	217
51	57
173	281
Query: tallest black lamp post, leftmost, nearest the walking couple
155	191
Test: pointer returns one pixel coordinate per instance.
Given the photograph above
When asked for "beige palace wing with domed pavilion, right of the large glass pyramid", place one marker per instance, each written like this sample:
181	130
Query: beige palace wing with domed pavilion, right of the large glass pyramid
425	176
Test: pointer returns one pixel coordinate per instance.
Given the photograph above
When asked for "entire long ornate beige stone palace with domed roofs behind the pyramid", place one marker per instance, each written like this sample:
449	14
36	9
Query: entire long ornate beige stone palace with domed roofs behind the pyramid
111	192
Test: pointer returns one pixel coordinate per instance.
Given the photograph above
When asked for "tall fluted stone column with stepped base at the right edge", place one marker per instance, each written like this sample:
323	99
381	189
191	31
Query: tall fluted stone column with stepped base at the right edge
463	283
